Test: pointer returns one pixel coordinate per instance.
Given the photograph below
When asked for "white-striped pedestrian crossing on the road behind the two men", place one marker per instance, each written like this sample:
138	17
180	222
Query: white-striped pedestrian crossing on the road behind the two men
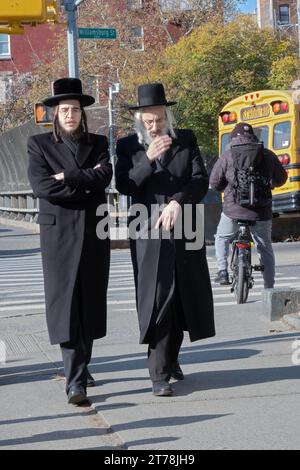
22	287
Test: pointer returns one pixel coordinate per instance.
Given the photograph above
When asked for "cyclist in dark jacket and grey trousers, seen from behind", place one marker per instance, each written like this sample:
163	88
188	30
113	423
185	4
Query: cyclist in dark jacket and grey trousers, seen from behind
222	178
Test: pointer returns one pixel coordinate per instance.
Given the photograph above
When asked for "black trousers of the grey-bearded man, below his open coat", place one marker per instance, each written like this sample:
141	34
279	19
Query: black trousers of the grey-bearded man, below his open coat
165	341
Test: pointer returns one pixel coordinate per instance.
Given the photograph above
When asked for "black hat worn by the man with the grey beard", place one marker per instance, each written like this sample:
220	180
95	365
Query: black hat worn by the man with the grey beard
151	94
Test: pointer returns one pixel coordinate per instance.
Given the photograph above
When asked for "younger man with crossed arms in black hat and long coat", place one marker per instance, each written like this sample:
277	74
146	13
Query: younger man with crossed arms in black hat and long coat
69	170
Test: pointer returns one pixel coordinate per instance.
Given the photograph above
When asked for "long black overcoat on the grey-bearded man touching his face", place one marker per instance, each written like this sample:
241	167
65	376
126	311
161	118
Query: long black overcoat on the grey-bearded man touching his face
181	176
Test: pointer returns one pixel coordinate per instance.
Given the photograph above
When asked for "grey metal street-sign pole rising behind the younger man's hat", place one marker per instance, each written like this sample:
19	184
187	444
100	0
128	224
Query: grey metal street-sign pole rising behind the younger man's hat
70	7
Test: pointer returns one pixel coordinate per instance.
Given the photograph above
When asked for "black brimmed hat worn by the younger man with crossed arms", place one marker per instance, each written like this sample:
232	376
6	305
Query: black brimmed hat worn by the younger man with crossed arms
68	89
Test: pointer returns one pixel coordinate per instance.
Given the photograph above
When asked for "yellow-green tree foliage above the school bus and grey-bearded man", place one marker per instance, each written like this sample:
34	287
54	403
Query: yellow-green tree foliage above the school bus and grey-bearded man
217	63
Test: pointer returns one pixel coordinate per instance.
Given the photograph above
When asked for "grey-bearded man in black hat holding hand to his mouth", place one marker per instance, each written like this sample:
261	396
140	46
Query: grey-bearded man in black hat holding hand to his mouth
162	169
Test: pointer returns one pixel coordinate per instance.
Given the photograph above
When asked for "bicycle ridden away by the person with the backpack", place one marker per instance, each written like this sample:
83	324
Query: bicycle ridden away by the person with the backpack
242	280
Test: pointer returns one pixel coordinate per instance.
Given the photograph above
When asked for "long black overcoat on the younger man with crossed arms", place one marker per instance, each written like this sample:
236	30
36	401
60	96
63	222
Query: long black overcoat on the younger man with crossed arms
67	218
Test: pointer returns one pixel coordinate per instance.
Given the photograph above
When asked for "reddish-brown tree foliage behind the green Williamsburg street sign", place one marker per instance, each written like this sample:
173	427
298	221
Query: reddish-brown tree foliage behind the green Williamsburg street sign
103	62
